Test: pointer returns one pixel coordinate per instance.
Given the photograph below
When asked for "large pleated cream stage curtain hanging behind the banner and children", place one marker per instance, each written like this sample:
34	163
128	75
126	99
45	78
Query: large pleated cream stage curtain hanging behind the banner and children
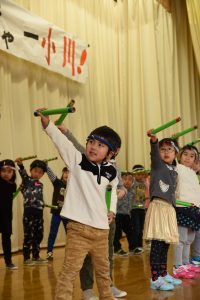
142	73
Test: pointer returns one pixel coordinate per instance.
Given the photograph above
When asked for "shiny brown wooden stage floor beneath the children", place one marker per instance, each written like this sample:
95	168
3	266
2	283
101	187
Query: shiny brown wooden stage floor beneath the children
130	274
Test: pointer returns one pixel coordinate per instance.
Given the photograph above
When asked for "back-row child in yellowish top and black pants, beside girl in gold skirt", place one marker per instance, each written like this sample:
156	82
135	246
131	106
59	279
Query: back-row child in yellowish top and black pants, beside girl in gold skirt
138	205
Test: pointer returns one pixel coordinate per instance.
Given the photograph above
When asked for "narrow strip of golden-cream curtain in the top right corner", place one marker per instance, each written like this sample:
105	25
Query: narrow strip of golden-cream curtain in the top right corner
193	9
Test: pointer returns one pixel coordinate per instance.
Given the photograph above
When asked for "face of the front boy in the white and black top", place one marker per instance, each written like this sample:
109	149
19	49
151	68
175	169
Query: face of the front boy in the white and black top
96	151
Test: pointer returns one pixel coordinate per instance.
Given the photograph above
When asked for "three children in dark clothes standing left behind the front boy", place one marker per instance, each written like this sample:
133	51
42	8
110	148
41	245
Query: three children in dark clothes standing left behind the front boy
32	190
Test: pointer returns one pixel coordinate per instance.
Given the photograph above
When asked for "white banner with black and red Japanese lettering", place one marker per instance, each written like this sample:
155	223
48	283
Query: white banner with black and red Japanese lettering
34	39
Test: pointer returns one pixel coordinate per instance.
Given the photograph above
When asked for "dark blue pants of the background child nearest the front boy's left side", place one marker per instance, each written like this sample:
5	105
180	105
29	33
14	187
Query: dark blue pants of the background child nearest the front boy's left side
55	223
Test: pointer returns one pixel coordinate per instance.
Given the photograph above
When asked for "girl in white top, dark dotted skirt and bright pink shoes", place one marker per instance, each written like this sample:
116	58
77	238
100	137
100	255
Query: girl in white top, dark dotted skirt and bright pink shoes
188	218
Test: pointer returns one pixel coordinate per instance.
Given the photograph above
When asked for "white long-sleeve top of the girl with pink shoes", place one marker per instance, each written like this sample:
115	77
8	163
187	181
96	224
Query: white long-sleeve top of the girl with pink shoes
188	188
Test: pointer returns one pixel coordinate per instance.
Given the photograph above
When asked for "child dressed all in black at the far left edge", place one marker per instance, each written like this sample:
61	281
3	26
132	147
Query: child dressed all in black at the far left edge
7	188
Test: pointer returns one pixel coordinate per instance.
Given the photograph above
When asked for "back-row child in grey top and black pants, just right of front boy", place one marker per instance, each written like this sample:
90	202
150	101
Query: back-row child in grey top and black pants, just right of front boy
123	220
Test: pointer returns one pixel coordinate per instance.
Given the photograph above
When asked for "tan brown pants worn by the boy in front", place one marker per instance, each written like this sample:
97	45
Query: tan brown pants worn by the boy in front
81	240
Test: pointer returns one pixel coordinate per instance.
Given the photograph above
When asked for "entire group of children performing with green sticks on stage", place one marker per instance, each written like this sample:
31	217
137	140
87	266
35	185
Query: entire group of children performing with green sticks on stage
91	232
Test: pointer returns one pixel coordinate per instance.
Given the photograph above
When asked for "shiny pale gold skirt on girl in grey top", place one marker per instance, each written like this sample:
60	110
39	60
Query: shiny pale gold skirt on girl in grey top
160	222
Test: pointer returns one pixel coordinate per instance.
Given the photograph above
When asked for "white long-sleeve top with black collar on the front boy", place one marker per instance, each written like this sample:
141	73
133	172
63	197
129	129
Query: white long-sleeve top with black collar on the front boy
86	188
